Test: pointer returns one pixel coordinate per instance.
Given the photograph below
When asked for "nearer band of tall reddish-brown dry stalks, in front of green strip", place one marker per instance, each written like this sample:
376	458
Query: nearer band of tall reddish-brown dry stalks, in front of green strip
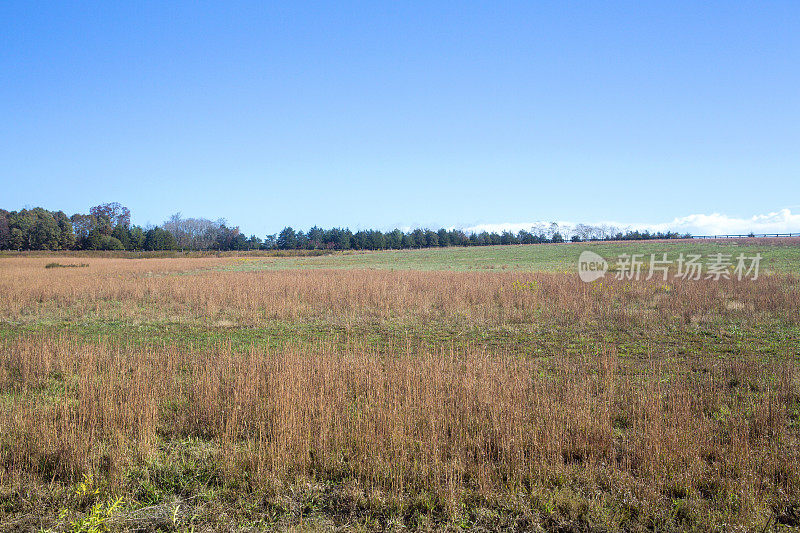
447	421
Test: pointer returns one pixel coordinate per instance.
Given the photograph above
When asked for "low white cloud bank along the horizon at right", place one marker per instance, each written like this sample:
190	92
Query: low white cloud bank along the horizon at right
782	221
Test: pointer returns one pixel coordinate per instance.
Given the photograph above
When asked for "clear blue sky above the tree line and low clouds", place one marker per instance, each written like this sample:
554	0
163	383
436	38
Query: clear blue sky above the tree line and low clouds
401	113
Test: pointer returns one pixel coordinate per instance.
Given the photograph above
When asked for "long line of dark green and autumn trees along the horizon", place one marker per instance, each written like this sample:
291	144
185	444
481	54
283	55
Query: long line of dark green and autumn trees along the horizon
108	227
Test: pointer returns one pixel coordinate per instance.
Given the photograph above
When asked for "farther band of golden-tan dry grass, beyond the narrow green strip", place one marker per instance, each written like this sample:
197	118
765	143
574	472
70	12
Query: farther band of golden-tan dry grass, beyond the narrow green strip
153	289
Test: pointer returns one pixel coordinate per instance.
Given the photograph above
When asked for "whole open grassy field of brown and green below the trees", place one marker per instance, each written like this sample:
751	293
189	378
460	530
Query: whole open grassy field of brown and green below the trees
459	388
